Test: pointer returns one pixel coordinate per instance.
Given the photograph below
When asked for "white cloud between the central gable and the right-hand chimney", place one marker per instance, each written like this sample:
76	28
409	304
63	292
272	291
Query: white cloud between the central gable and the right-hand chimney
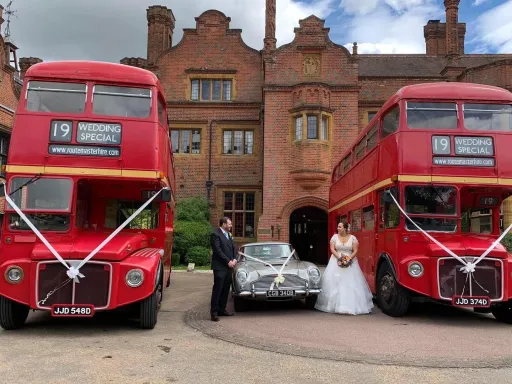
396	25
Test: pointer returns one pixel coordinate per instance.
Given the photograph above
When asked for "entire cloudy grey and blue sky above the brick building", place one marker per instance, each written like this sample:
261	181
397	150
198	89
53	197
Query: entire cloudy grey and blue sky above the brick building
108	30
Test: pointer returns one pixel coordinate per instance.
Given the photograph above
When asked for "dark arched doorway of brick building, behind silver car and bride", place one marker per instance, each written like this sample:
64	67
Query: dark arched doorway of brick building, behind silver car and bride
308	234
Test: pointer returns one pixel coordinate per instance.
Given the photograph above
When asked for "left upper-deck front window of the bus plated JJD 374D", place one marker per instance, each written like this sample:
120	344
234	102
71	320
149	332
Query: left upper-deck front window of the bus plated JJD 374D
431	115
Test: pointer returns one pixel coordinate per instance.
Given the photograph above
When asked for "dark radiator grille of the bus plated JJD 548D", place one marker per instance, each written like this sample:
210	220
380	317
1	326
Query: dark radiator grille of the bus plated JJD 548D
93	289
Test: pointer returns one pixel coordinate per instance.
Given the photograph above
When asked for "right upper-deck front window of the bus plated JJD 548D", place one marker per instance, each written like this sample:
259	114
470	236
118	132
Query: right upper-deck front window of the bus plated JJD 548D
110	100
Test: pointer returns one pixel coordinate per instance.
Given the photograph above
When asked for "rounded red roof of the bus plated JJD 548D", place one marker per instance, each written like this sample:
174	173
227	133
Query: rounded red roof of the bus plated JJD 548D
93	70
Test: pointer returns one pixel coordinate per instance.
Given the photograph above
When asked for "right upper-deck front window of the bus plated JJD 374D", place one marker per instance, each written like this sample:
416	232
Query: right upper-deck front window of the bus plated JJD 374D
488	117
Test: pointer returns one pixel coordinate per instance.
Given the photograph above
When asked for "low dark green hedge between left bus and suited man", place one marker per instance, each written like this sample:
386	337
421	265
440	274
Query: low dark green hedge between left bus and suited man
188	234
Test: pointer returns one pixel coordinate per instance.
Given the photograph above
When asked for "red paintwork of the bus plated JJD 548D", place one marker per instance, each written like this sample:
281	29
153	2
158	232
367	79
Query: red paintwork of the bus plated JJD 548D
145	146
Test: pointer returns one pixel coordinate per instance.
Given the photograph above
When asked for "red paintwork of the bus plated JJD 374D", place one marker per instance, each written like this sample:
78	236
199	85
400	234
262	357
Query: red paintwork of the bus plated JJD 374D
409	152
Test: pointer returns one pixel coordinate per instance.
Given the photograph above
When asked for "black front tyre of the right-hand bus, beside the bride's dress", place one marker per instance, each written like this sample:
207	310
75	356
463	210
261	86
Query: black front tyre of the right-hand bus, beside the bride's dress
392	298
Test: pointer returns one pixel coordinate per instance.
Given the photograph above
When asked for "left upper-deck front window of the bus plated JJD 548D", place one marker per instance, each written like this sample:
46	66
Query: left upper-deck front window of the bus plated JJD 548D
49	96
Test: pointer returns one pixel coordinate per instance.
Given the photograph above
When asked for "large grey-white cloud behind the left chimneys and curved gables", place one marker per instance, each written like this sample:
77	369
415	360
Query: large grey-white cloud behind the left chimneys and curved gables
110	30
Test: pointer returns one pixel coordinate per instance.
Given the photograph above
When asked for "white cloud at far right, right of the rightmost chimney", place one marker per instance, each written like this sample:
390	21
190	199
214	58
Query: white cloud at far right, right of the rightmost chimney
493	29
